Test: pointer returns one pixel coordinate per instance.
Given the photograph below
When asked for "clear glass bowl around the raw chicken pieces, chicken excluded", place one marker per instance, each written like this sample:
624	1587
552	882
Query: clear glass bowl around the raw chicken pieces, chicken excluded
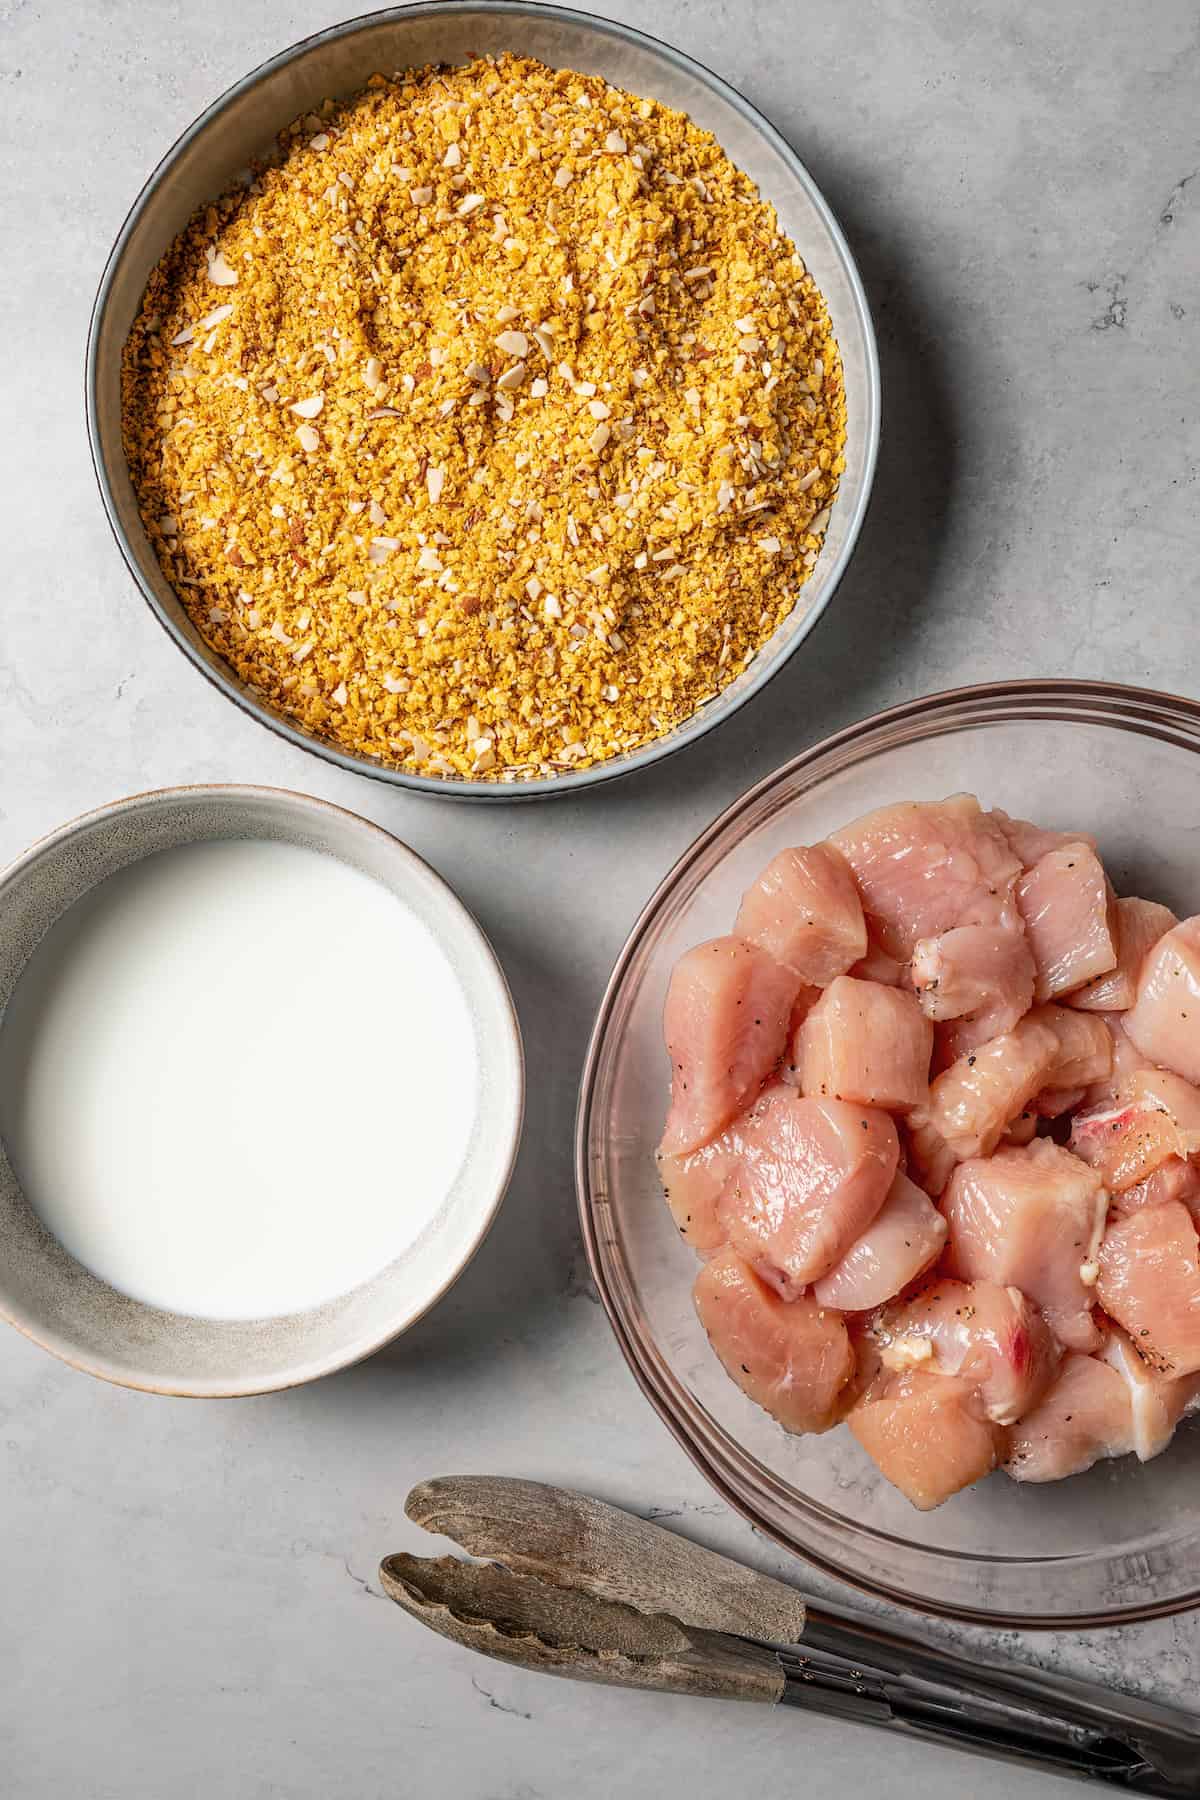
1118	1543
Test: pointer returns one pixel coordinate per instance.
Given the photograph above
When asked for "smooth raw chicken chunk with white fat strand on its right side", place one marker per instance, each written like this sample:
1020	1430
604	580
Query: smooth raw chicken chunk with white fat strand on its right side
1032	1219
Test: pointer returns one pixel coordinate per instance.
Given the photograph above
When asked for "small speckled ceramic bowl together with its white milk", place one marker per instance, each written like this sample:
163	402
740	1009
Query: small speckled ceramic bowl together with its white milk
262	1090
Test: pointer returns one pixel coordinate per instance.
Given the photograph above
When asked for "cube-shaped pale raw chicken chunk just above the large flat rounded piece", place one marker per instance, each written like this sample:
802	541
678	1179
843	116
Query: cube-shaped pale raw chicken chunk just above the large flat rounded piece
866	1043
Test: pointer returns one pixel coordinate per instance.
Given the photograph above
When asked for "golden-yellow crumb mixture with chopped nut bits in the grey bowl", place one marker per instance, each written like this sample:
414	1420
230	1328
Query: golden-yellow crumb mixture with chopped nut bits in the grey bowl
492	427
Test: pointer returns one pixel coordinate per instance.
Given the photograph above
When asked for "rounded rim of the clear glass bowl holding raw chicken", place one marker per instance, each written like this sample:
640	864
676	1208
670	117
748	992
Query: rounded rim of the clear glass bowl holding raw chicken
1147	710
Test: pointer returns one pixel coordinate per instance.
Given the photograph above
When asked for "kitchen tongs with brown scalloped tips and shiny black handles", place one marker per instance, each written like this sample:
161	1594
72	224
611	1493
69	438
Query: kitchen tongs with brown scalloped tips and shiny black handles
577	1588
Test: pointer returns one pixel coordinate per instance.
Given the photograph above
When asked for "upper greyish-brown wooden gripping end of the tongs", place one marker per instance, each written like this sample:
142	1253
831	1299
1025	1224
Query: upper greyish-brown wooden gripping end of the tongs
575	1542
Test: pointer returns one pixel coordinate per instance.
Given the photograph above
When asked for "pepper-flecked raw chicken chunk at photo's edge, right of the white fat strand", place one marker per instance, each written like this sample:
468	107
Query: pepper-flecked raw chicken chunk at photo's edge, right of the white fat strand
1151	1284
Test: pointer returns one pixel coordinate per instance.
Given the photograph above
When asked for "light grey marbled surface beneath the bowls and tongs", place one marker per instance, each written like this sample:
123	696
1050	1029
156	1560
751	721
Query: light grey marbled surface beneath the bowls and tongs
190	1597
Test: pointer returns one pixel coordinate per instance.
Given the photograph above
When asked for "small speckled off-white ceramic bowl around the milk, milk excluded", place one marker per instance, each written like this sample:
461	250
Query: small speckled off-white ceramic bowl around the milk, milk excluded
69	1311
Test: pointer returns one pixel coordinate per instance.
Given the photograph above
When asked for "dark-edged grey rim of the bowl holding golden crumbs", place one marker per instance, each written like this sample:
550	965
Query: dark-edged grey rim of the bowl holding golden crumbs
703	721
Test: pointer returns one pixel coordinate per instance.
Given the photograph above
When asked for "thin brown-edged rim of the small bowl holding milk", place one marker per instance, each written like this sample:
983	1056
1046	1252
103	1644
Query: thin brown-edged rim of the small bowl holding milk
355	1353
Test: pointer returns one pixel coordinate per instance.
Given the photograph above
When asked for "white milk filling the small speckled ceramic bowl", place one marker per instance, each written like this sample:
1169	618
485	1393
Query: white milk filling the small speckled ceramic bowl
238	1079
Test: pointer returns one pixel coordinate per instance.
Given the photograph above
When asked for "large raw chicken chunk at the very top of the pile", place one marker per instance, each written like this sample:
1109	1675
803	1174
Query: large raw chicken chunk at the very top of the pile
926	867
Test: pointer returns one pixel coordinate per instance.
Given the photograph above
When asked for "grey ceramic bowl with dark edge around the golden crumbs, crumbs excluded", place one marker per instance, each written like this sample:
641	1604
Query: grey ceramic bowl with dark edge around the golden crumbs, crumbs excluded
244	123
